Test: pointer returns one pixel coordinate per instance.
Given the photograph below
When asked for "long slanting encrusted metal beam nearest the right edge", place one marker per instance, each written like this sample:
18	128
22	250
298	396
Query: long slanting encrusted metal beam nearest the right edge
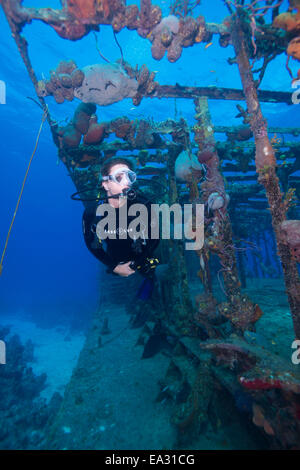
266	168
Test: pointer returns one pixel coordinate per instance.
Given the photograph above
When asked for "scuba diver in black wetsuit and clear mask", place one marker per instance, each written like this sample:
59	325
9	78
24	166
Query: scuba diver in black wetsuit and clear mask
122	256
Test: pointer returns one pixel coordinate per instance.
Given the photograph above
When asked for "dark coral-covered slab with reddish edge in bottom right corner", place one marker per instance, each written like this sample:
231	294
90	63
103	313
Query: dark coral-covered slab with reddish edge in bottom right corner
273	384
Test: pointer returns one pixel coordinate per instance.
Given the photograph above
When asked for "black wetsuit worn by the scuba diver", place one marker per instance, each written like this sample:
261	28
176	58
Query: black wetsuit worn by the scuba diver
111	251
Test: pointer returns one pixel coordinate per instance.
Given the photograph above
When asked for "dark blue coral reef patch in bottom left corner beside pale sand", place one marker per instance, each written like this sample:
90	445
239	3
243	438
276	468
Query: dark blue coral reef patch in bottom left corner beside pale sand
24	415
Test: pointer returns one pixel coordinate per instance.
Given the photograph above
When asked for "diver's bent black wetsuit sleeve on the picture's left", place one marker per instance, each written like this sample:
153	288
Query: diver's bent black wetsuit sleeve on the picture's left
92	242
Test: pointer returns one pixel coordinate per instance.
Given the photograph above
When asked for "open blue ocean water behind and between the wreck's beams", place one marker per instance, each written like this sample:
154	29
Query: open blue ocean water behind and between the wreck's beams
48	275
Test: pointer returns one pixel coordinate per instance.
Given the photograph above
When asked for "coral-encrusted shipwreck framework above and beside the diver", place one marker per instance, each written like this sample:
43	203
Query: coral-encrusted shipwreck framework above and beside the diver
192	164
